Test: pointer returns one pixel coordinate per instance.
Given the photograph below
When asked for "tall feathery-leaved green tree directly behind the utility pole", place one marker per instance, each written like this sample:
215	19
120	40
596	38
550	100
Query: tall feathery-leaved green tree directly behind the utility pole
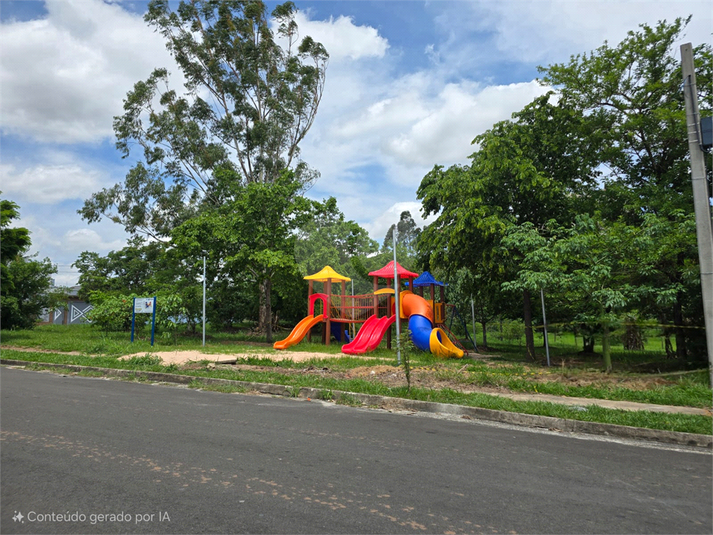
633	90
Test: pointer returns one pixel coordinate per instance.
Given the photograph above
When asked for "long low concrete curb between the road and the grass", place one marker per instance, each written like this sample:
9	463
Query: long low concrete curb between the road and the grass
370	400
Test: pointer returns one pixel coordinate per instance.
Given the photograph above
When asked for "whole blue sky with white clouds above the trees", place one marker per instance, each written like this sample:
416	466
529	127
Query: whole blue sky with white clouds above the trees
409	85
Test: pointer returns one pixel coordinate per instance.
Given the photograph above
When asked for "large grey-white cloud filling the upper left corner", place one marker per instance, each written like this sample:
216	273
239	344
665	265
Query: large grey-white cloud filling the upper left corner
64	77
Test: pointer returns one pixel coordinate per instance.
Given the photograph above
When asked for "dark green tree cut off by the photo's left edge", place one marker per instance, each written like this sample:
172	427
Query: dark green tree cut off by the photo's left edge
26	283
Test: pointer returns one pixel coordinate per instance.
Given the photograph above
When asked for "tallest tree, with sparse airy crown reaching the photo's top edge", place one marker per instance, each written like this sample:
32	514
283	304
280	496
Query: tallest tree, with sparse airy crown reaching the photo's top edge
250	98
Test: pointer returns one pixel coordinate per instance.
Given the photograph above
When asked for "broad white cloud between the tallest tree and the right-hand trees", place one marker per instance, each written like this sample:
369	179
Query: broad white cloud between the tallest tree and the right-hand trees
412	124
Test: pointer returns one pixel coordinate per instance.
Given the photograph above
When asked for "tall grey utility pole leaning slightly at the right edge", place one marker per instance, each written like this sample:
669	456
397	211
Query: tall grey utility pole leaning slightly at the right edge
701	195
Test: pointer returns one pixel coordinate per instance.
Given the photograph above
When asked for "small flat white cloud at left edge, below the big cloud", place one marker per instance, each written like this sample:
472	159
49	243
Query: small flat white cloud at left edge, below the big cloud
50	183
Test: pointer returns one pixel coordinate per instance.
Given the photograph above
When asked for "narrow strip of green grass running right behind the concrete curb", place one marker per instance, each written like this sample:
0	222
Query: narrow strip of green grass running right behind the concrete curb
665	421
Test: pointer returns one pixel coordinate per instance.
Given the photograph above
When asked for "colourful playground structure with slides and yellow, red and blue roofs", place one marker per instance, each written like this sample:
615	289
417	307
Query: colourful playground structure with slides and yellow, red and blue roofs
376	312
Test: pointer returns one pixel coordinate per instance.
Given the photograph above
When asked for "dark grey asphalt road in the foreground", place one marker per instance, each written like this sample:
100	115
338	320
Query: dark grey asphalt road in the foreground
82	455
